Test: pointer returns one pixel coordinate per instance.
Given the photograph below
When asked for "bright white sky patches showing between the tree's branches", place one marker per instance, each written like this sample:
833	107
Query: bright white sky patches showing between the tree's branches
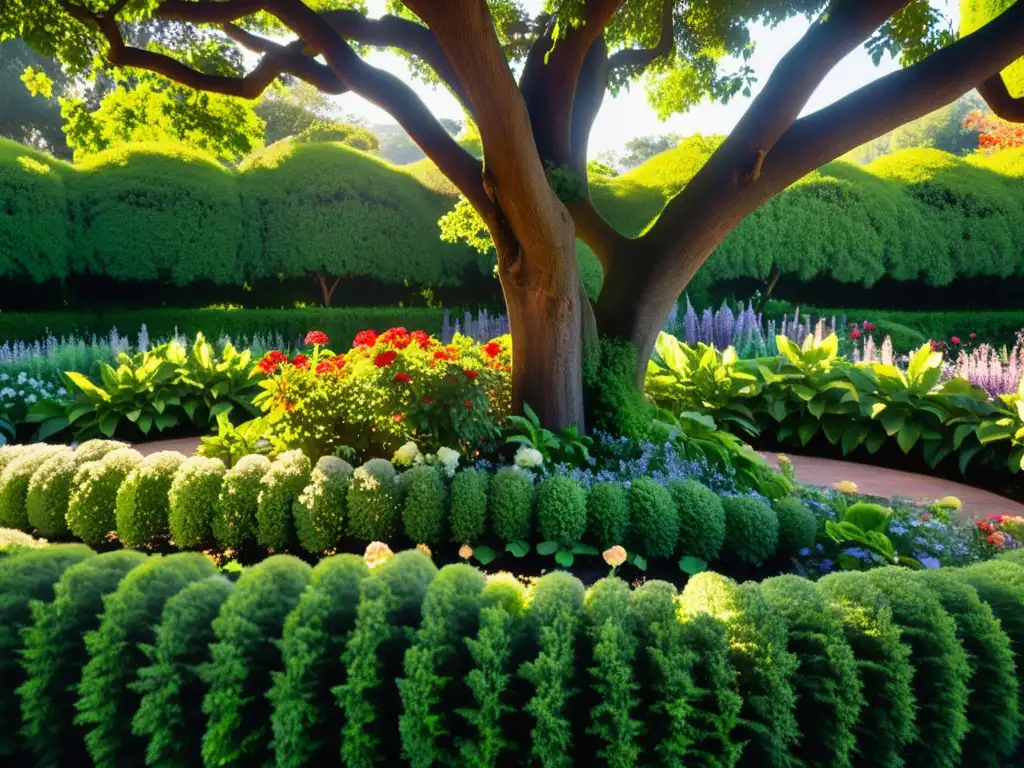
629	115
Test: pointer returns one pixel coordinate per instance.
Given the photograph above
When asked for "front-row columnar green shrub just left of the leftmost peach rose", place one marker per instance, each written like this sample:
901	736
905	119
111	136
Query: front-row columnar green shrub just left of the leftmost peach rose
307	720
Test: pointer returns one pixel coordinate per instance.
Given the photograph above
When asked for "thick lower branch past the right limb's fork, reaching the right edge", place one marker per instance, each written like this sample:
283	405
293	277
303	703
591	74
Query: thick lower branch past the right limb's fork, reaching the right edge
897	99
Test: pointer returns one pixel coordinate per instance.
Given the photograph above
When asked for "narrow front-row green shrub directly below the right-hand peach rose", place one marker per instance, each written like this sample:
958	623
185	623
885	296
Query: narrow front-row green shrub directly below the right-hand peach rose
612	644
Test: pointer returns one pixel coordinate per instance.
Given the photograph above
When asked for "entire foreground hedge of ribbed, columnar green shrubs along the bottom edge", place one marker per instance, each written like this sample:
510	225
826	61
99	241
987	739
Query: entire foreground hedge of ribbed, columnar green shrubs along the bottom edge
407	665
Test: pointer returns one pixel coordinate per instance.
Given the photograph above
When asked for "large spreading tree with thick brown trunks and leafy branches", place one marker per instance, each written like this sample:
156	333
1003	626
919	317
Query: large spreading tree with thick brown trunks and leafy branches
531	189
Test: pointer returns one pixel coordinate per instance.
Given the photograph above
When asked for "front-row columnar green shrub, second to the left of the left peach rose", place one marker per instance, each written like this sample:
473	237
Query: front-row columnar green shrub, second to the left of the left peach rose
245	657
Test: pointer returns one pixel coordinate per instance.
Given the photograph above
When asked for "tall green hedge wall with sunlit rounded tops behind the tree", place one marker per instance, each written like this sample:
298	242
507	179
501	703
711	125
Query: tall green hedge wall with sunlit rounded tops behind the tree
165	214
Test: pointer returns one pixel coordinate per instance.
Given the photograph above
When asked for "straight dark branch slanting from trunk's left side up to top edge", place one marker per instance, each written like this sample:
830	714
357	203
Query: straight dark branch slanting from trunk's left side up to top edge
389	93
